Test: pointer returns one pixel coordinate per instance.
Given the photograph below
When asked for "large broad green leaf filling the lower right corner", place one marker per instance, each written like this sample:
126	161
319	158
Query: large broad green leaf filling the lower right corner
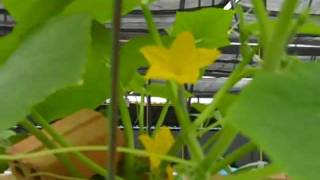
280	112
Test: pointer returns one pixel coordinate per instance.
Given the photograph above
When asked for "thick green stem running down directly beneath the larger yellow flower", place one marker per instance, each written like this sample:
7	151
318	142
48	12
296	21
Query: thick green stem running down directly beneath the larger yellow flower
188	131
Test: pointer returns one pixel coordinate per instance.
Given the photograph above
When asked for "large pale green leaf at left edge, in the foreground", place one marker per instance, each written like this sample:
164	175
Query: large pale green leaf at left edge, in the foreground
50	59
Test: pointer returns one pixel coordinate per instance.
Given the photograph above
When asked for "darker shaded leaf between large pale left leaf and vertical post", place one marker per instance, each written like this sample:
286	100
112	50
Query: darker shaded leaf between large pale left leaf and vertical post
94	90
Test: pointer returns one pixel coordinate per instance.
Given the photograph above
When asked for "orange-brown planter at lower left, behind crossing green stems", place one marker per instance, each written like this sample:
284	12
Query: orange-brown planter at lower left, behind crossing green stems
85	127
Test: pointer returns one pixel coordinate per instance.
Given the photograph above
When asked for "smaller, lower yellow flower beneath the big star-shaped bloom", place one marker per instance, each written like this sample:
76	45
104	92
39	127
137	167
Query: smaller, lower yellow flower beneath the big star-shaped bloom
160	144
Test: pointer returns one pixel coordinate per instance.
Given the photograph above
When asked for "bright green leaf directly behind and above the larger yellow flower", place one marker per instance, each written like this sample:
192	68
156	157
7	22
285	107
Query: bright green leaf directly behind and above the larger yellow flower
209	26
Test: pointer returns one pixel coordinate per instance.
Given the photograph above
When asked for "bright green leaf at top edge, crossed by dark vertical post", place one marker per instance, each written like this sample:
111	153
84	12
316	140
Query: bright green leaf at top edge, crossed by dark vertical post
100	10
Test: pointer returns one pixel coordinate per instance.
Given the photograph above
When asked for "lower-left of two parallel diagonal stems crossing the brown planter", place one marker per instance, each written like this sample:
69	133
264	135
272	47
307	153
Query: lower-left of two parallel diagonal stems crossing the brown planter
50	145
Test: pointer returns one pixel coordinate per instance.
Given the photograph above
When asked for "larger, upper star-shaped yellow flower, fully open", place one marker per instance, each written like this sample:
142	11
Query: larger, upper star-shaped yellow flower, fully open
181	62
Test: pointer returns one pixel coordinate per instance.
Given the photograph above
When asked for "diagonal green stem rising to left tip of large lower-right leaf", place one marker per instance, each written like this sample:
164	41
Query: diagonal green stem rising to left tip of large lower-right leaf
226	138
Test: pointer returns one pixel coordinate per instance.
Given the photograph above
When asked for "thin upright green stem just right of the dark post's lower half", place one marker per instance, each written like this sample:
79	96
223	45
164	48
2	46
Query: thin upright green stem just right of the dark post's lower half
128	133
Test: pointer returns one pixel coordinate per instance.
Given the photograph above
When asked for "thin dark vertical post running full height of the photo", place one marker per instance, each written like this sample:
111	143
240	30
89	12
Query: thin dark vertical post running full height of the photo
114	109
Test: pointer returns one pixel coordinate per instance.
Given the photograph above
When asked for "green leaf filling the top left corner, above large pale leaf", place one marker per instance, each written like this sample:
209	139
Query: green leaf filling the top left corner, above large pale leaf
28	14
